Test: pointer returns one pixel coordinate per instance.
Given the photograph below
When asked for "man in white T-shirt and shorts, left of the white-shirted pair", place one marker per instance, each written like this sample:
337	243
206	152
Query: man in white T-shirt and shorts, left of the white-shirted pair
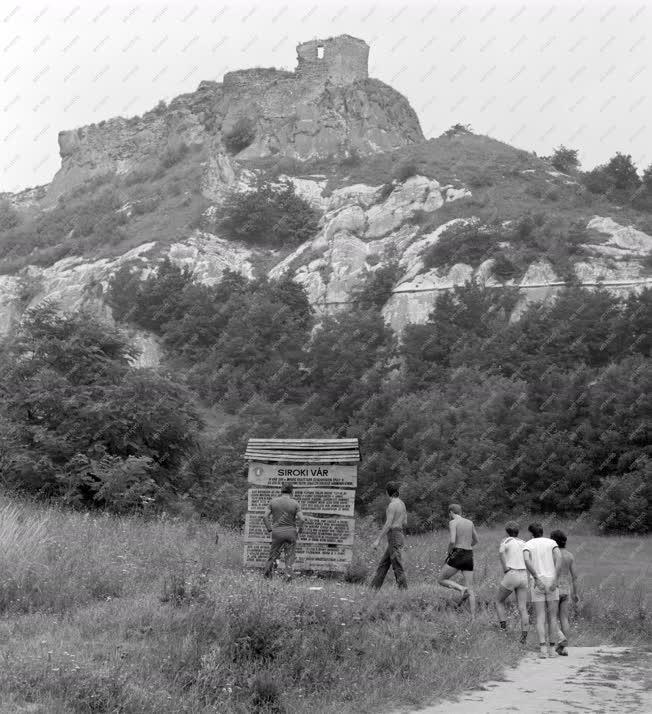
514	580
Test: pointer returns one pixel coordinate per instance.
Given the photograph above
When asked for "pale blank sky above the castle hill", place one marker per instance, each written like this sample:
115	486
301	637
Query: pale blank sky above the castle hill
533	74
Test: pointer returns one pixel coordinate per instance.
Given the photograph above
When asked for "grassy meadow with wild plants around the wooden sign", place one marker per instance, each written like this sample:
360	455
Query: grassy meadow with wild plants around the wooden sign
108	614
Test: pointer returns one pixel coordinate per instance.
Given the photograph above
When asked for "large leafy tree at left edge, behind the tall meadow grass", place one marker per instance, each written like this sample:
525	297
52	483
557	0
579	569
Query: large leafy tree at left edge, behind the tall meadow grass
82	421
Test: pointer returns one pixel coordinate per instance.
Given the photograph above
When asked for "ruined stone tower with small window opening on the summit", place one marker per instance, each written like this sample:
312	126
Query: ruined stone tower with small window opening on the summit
342	60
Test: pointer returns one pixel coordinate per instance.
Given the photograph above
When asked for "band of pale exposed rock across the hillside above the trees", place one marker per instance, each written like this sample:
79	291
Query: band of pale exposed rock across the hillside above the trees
360	231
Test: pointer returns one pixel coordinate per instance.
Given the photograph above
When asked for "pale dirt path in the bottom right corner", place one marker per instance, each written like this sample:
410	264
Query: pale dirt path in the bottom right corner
591	680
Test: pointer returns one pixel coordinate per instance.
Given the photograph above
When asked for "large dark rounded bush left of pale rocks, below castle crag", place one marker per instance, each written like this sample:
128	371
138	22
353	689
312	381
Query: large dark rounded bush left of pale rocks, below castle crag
272	215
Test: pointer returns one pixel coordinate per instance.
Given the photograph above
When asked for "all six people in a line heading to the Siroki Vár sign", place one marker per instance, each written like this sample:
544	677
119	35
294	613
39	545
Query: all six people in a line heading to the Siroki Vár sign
540	570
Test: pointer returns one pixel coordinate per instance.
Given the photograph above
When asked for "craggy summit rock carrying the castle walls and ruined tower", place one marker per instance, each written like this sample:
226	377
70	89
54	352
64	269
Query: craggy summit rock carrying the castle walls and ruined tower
329	106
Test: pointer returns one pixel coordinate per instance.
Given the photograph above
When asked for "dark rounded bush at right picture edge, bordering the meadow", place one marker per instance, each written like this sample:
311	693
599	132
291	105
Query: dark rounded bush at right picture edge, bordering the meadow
622	503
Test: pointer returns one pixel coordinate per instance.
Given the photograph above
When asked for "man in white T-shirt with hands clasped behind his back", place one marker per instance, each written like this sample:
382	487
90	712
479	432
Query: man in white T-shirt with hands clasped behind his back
542	559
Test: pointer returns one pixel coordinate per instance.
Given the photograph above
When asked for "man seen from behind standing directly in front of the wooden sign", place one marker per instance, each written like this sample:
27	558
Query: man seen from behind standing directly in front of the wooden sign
284	520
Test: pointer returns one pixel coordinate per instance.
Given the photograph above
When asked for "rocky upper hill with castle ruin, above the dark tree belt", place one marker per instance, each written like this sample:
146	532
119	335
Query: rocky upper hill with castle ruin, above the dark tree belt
442	211
